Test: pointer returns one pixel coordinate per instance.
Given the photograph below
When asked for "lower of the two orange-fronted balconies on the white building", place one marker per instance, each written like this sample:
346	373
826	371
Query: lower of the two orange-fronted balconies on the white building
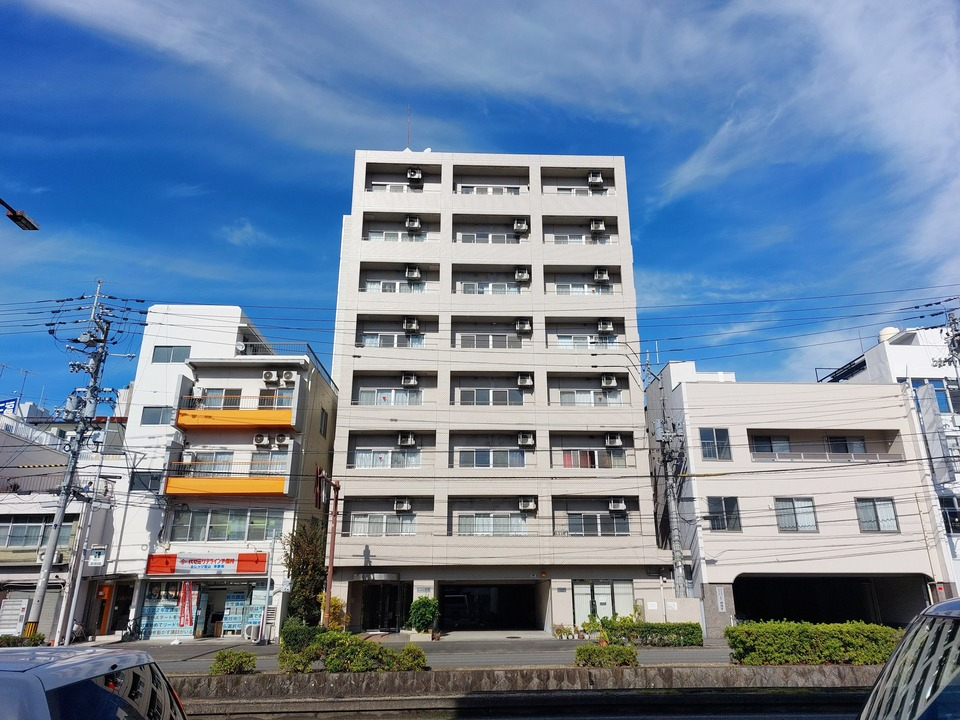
269	477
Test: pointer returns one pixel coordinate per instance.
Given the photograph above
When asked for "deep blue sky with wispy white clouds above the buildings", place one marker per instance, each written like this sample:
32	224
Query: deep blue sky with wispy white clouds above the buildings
793	167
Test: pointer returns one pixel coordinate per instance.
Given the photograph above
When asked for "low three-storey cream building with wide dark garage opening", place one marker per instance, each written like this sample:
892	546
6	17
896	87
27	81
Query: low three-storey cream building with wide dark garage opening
799	500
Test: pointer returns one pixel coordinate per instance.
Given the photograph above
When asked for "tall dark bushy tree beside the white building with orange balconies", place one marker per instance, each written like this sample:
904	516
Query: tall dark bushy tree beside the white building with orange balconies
303	557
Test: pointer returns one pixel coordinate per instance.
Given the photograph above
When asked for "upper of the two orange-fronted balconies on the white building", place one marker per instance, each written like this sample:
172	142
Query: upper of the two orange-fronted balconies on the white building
236	412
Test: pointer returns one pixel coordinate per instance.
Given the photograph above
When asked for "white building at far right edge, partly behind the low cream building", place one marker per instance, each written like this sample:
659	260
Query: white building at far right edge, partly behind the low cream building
918	357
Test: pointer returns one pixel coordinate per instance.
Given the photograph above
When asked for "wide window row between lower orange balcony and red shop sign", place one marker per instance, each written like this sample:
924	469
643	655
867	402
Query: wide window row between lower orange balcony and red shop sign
237	524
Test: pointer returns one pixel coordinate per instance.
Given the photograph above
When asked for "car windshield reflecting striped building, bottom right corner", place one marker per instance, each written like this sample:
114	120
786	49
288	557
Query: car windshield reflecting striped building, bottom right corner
921	681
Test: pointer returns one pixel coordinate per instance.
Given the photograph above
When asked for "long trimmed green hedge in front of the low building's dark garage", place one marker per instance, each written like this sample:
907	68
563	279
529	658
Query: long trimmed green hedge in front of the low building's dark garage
802	643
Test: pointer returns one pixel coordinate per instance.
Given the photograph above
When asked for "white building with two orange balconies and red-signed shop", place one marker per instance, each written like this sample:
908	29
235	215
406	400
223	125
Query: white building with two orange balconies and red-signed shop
229	433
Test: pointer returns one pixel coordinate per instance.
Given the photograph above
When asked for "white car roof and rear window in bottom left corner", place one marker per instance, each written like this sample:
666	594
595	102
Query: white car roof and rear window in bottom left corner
66	683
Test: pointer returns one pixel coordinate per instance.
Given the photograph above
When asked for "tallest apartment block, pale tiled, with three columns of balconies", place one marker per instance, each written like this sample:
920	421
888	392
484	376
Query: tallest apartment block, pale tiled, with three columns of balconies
490	445
